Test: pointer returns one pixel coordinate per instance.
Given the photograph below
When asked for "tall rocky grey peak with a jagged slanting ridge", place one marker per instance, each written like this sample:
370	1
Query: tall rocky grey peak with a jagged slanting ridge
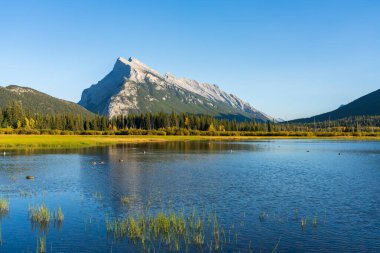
133	87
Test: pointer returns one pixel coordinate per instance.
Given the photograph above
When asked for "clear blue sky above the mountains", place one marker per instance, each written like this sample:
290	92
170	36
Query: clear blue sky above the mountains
287	58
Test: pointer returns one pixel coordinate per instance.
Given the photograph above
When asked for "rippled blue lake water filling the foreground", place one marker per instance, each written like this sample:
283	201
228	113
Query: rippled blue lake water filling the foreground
268	196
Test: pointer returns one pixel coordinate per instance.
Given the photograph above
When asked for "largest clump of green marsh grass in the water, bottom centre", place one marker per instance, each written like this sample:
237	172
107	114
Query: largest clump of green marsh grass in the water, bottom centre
173	230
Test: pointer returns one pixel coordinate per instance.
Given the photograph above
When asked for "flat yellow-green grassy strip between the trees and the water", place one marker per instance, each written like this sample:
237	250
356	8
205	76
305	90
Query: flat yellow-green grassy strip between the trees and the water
81	141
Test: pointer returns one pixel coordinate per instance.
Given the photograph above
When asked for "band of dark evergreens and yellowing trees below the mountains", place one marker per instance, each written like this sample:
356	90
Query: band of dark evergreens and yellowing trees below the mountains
14	116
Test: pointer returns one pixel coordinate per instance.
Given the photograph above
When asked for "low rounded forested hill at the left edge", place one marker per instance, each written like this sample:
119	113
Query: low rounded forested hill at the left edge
38	102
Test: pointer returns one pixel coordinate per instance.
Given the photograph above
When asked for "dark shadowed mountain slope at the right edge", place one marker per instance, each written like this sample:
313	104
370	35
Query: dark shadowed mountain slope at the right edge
366	105
